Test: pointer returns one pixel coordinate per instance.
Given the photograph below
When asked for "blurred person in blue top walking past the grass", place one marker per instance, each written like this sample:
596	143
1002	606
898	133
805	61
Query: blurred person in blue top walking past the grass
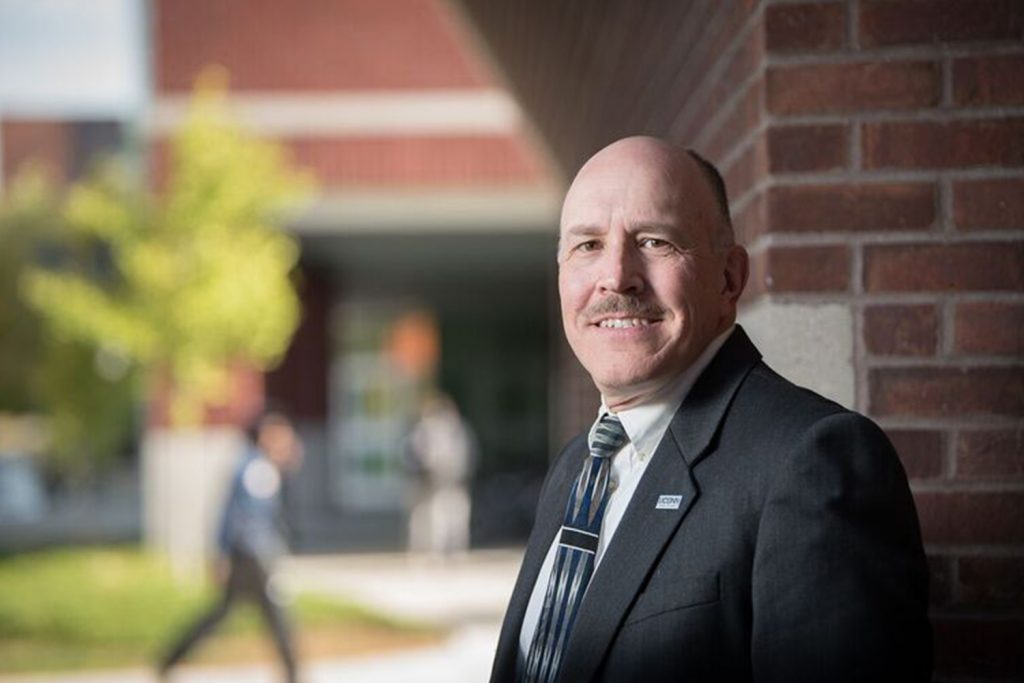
251	538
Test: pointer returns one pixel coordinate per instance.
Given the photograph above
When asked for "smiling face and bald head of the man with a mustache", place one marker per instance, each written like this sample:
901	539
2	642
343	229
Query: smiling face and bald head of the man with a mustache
643	290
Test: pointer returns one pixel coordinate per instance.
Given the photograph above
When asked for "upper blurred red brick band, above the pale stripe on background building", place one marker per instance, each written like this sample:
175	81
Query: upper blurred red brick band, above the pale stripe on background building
313	46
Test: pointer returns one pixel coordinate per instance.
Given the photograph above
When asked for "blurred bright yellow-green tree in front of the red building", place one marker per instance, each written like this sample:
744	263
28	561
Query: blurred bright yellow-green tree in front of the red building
198	276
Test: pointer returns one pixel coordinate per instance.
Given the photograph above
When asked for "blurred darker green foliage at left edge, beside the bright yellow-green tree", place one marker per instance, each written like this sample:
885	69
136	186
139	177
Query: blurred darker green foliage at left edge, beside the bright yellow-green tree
87	397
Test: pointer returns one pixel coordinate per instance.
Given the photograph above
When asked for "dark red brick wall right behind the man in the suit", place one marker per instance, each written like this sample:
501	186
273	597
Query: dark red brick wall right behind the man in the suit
875	154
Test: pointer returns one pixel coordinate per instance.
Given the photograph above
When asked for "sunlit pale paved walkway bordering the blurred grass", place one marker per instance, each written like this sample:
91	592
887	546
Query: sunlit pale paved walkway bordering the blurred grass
467	594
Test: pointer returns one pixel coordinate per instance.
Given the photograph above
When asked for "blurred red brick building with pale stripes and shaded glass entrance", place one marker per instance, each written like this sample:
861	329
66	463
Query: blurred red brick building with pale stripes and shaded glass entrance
429	252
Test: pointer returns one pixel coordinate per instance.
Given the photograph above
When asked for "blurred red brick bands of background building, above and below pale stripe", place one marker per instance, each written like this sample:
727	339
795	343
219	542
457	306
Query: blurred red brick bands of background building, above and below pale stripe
324	48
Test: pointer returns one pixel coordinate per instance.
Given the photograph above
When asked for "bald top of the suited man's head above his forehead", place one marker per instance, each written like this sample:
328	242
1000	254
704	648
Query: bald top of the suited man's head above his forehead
686	180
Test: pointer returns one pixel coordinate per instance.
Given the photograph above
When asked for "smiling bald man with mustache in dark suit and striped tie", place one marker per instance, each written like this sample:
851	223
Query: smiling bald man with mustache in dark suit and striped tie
717	524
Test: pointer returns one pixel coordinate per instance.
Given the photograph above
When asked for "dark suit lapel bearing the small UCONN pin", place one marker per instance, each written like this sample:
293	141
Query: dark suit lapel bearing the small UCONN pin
646	530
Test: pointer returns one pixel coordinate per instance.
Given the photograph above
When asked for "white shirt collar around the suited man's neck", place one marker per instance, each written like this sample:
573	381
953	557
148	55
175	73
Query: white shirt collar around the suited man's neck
646	424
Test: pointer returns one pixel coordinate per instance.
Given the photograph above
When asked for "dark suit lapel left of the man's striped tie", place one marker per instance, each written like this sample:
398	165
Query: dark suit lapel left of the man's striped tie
550	516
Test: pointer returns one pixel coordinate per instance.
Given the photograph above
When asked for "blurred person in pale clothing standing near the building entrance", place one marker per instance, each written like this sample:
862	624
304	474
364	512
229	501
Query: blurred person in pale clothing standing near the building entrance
442	453
